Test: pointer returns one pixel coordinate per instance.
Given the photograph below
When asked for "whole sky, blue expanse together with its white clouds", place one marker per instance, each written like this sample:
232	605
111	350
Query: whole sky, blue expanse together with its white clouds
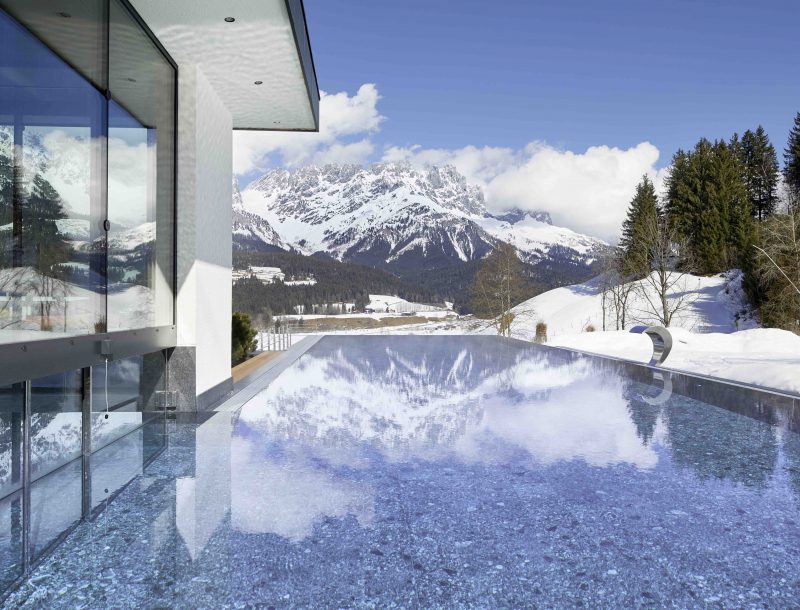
559	106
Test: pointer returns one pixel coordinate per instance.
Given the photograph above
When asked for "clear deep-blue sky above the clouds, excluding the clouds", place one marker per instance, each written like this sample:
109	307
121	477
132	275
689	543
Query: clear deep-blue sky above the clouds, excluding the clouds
574	73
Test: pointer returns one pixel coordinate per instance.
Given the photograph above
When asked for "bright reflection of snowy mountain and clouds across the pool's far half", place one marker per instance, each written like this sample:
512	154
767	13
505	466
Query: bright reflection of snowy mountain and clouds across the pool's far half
553	409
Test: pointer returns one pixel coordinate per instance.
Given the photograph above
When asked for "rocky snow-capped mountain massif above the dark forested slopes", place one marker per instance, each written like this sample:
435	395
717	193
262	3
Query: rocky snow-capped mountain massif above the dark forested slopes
396	216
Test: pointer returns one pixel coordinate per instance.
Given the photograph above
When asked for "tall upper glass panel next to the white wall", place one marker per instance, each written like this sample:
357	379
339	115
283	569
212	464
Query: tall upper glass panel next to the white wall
140	177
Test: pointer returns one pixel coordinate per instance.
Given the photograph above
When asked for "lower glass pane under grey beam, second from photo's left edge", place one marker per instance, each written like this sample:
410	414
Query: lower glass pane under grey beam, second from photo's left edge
56	421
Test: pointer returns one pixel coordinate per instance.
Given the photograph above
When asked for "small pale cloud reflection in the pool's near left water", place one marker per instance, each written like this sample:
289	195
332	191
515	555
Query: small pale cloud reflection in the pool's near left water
289	494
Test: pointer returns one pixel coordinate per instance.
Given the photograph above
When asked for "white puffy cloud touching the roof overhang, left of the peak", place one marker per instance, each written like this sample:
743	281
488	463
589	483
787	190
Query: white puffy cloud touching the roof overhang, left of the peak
342	116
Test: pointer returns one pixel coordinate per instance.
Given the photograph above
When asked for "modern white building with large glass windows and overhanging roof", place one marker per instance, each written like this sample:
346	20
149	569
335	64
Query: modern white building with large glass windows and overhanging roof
116	122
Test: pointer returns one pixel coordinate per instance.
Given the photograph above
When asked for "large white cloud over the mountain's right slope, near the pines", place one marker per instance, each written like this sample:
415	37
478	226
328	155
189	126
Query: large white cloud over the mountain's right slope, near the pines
588	192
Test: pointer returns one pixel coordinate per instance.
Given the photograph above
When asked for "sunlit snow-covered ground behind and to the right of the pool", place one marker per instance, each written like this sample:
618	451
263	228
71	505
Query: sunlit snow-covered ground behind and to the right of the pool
715	334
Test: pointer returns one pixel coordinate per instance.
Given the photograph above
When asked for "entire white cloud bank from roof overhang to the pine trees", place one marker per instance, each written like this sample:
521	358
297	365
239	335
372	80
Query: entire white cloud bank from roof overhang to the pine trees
586	191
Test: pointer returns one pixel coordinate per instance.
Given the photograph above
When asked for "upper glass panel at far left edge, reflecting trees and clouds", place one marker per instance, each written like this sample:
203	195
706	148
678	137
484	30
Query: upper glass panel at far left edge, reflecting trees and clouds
52	124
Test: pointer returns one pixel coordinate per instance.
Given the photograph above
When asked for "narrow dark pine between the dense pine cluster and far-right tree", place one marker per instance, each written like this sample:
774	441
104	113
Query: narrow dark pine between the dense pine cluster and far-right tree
760	163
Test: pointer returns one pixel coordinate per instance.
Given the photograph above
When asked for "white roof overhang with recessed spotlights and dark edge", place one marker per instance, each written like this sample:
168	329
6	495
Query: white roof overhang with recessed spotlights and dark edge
267	43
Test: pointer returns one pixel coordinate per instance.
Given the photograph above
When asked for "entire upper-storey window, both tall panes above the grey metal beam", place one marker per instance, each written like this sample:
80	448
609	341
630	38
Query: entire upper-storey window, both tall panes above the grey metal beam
61	178
